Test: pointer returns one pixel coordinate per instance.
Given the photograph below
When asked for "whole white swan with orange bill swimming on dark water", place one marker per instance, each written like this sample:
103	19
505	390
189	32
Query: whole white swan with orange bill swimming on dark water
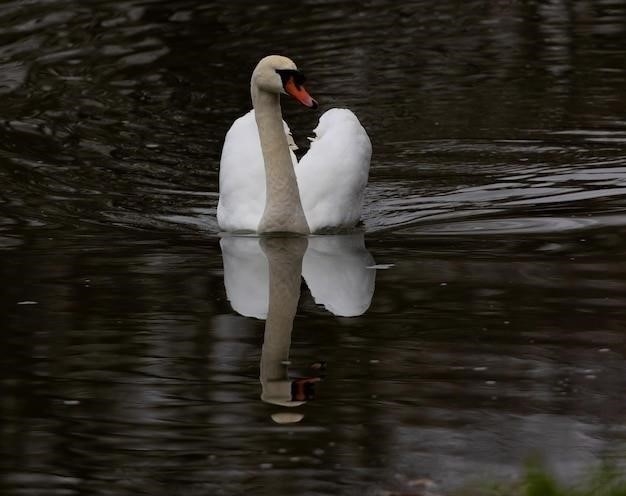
323	191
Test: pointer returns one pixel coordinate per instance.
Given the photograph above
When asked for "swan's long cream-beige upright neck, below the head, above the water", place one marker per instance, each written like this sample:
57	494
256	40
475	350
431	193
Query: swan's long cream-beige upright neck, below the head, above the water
283	208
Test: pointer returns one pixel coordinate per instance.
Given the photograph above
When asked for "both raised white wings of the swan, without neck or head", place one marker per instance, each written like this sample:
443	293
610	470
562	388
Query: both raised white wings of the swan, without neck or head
331	176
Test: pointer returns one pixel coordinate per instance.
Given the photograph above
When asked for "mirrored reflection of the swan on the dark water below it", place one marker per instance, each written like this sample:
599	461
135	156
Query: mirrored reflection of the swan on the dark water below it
262	277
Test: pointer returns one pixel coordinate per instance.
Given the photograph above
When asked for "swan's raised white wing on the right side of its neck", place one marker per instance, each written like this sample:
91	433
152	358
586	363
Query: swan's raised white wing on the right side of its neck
333	174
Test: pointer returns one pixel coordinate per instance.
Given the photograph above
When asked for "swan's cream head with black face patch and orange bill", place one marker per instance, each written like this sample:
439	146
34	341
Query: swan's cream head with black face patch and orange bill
278	74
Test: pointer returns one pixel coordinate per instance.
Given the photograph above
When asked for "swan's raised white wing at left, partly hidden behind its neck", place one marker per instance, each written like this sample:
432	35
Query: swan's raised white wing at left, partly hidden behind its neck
242	176
